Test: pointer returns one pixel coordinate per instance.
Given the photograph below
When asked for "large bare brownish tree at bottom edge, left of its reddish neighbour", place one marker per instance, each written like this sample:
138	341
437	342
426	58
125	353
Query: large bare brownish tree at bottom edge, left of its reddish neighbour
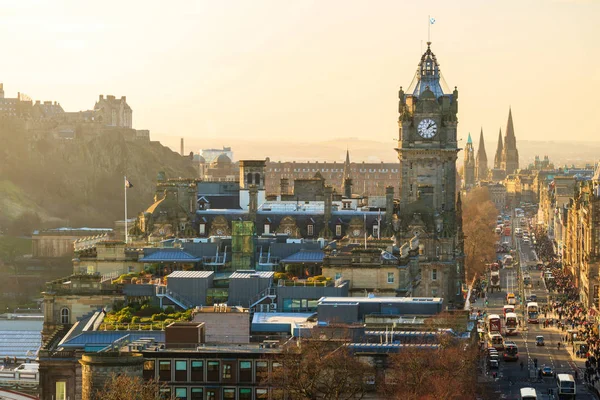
312	369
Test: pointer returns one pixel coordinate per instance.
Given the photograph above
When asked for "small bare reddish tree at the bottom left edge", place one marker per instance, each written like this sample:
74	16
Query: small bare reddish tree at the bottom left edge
124	387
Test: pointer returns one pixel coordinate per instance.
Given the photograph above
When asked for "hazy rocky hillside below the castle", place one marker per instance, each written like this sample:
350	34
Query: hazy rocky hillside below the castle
79	182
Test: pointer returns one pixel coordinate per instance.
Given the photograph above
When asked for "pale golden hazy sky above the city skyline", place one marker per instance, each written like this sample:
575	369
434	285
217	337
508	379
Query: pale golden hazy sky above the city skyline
268	71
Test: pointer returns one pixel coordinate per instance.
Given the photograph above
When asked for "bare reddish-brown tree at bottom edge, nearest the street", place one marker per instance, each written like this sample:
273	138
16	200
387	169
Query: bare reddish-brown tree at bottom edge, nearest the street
448	372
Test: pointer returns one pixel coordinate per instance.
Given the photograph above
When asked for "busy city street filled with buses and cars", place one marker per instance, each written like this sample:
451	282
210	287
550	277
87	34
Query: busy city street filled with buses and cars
511	377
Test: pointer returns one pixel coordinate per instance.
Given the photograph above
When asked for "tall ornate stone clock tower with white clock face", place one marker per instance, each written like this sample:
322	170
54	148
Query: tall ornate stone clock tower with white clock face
427	150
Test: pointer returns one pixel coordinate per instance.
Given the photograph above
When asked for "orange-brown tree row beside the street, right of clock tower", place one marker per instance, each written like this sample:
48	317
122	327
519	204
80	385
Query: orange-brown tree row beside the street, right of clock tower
479	221
